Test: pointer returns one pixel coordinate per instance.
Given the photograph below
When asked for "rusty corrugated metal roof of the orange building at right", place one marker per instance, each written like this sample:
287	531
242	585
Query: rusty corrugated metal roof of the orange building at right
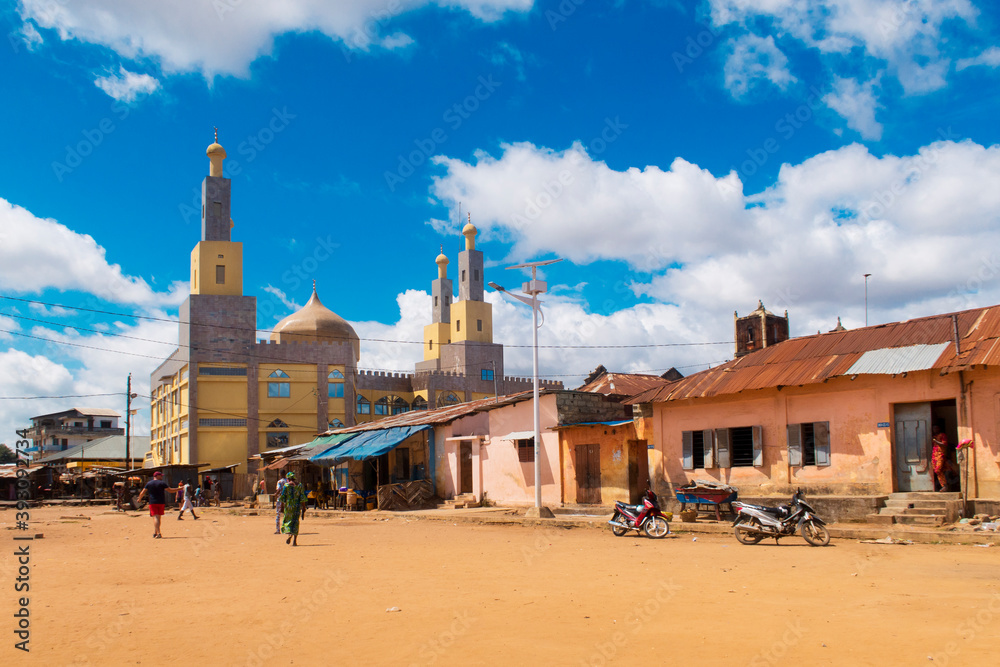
814	359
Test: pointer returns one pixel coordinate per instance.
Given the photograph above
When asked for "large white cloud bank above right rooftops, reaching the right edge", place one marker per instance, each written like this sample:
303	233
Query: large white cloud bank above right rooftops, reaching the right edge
925	225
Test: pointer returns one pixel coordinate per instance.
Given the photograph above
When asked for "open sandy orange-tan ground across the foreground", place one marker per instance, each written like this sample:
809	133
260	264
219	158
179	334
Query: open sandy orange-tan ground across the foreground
226	591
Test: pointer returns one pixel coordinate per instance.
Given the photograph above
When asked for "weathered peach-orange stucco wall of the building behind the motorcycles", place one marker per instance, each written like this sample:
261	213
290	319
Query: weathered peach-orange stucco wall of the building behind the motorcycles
861	451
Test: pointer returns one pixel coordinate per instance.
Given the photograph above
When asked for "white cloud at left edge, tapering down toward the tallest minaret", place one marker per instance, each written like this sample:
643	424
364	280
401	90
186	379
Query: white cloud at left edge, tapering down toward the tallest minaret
72	261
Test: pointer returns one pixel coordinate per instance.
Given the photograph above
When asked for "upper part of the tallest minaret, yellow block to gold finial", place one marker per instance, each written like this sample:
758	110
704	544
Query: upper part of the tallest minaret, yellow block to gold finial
217	261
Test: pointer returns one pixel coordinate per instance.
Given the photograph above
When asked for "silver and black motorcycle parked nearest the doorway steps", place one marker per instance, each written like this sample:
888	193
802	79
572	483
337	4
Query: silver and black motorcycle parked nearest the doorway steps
755	522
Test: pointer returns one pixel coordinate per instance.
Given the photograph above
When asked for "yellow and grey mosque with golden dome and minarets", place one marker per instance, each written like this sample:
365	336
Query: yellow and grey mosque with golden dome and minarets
224	396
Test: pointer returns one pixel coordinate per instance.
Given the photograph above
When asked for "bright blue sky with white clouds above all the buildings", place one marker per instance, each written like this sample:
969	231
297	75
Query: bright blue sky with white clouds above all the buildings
685	158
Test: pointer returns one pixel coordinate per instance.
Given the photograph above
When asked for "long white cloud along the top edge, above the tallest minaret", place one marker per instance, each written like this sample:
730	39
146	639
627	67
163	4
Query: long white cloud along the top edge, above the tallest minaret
225	36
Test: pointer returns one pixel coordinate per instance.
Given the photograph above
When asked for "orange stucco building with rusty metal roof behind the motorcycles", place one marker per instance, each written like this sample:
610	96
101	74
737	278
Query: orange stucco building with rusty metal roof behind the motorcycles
848	413
